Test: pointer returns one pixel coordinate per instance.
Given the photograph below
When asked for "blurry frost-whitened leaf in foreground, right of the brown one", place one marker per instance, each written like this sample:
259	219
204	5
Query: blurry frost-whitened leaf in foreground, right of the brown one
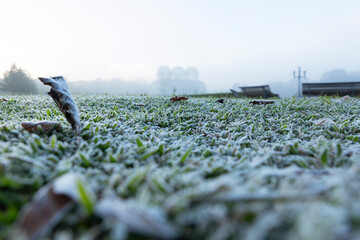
149	221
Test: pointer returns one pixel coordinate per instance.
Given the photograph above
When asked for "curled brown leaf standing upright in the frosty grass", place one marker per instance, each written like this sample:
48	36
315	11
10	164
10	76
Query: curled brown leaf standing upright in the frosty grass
61	95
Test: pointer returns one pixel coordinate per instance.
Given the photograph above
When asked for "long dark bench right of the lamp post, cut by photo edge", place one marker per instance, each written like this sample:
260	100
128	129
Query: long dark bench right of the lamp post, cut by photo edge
331	88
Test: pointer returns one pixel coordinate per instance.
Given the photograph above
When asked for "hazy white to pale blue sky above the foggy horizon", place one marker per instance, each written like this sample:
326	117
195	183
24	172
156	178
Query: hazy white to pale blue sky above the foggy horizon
229	41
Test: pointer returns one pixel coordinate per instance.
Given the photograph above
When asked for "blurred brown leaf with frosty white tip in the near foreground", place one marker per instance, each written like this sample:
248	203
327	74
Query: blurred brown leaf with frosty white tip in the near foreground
49	206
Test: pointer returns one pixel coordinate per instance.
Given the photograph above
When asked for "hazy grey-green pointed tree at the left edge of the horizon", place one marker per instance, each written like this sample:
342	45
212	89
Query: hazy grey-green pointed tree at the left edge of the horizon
17	81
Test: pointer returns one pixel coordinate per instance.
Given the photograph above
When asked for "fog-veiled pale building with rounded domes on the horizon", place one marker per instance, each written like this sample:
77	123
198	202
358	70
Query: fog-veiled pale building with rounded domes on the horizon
178	81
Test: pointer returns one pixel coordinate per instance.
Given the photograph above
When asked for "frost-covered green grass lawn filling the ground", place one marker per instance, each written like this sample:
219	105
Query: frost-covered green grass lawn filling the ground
195	169
